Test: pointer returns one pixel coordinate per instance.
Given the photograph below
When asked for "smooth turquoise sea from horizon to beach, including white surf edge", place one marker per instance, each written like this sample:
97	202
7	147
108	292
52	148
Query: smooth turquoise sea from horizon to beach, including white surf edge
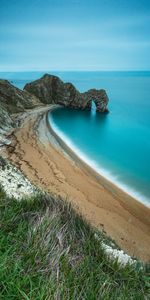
117	144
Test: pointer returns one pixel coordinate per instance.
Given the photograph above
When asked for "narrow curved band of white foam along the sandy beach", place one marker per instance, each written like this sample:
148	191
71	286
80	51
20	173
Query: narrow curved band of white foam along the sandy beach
100	170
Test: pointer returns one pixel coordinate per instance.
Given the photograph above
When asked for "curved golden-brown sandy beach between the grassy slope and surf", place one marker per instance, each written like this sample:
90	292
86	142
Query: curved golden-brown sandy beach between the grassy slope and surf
46	160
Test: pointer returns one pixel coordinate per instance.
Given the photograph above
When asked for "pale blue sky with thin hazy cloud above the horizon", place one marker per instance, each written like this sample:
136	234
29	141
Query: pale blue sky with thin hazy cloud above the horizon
67	35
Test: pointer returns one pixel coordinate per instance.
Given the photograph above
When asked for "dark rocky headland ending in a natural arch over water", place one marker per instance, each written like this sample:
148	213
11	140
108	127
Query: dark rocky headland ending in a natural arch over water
51	89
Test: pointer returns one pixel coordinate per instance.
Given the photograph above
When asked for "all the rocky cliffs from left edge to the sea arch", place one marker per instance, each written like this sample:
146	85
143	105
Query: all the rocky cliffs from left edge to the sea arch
48	89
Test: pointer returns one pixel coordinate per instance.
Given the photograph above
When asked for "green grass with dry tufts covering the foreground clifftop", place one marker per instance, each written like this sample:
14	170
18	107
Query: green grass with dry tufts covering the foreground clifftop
48	252
